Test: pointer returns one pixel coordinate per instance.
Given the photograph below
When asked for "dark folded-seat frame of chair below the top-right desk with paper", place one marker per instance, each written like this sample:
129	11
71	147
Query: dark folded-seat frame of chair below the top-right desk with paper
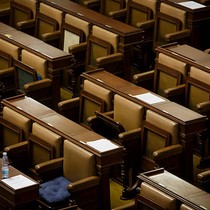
163	17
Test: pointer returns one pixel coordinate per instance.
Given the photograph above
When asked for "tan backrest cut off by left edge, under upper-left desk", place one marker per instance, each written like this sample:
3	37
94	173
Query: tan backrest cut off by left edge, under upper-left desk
10	49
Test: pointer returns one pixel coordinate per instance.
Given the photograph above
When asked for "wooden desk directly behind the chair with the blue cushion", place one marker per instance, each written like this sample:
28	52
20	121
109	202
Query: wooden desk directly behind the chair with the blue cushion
73	132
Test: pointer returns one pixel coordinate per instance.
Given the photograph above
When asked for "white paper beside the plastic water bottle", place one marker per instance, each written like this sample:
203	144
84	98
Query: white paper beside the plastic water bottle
18	182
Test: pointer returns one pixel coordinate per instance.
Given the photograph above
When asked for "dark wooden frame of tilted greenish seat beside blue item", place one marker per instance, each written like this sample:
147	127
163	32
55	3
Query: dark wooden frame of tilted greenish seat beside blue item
18	65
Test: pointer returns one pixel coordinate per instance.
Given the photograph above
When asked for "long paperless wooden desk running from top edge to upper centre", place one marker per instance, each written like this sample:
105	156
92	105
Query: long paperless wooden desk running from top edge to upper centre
128	35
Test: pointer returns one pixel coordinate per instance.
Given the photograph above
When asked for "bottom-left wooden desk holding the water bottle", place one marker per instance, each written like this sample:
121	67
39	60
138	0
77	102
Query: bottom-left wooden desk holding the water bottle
19	198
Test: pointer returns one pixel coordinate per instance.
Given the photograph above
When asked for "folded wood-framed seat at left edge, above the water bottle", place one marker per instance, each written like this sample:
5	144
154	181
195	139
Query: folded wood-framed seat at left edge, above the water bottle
10	133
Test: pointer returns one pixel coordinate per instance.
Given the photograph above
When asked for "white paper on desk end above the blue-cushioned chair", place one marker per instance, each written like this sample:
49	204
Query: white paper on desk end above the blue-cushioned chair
102	145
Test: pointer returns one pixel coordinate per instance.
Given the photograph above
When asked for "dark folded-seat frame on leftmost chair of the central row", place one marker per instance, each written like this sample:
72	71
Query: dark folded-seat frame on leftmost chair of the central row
84	95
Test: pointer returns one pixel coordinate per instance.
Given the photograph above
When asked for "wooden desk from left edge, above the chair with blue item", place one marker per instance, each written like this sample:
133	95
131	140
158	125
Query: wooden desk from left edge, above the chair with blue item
57	60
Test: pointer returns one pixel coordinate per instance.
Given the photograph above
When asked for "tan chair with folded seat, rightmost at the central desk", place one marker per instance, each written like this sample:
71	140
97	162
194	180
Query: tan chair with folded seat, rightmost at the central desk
157	132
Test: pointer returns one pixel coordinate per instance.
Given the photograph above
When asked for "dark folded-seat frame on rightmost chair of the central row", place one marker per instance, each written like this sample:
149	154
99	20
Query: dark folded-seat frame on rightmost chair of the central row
162	133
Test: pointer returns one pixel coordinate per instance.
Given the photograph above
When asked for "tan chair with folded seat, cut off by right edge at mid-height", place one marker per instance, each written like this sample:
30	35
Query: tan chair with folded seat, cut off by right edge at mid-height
197	88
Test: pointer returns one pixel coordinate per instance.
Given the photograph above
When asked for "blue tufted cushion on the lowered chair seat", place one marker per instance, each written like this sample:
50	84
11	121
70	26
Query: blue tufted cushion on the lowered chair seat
55	191
